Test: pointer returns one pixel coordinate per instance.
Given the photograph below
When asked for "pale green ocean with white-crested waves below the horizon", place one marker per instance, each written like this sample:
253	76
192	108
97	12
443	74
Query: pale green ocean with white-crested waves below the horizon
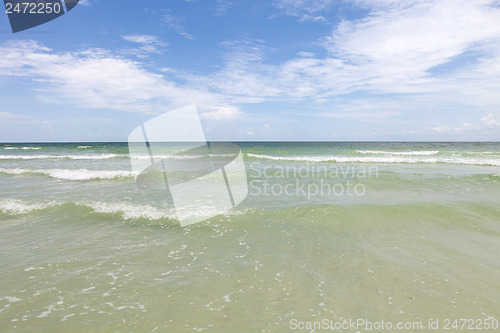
330	234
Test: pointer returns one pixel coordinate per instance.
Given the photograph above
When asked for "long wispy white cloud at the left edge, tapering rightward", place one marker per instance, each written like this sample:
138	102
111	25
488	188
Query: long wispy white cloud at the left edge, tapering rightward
96	79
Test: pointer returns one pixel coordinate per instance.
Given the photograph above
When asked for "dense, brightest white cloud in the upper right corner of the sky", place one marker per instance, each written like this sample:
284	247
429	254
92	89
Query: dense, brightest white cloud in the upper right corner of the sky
415	39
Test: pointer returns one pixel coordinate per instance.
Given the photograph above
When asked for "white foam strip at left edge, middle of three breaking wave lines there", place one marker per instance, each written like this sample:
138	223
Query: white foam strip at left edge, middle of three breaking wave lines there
72	174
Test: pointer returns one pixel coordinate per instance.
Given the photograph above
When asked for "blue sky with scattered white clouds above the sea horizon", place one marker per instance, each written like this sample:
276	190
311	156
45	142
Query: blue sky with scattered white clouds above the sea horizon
274	70
